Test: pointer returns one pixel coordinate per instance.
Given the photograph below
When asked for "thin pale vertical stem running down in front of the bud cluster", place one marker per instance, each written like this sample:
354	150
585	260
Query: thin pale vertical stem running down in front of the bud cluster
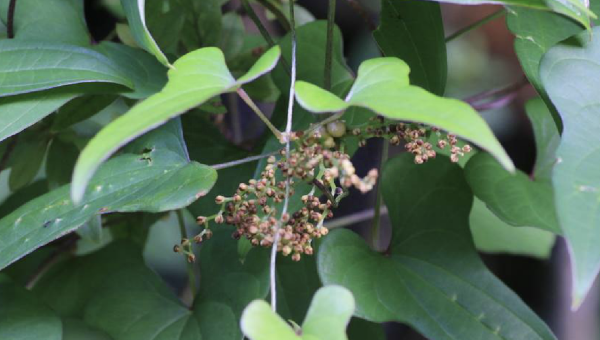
288	130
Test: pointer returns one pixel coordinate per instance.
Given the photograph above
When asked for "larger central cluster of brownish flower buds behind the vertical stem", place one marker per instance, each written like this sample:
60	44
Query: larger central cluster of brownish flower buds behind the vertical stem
254	208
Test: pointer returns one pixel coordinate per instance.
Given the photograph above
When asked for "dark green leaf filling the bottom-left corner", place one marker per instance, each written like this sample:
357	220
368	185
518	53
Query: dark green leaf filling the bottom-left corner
23	317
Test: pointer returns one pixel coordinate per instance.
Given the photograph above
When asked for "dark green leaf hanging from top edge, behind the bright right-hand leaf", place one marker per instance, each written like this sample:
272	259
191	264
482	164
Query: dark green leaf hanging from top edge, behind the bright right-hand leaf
413	31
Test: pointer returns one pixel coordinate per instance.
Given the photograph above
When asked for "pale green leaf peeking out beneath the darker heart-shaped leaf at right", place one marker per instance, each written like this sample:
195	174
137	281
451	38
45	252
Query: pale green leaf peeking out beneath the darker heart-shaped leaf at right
492	235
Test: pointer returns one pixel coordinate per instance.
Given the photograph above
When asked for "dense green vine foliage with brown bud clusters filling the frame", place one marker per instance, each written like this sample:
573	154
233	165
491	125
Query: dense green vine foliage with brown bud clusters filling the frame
106	142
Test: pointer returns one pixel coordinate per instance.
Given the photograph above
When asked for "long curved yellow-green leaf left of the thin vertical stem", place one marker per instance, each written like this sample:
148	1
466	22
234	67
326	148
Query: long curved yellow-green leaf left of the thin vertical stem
195	78
